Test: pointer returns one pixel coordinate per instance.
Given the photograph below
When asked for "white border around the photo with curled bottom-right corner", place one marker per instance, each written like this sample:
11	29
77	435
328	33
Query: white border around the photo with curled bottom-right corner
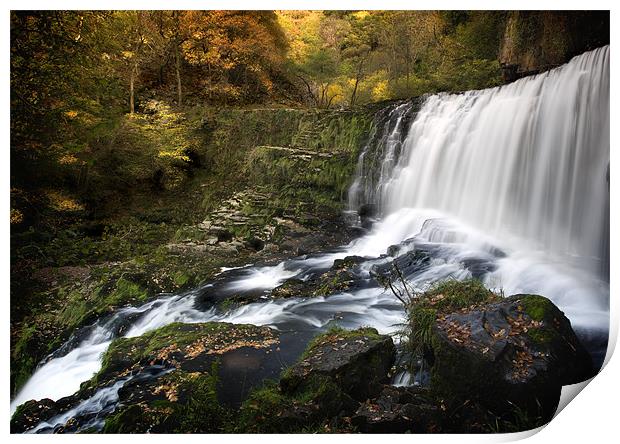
592	417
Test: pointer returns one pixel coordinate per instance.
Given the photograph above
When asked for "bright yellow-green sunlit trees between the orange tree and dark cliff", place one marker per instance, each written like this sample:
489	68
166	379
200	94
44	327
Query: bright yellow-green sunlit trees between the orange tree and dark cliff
351	57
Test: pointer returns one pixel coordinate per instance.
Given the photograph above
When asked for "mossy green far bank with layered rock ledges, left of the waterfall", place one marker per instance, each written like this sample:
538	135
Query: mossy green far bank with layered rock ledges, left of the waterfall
181	217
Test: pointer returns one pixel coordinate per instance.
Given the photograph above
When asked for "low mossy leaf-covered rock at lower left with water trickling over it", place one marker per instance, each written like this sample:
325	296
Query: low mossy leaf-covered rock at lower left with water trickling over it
154	380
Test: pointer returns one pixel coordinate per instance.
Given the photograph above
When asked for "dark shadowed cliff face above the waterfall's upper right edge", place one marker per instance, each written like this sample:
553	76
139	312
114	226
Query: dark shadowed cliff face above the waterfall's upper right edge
535	41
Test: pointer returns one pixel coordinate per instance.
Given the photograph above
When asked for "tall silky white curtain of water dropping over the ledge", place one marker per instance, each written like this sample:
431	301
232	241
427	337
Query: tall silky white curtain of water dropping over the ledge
529	159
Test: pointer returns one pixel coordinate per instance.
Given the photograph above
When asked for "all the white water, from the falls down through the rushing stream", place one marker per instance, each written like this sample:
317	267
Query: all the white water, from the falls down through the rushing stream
509	185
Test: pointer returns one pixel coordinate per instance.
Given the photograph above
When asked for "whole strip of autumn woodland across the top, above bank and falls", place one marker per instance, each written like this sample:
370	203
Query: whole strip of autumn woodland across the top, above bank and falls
76	76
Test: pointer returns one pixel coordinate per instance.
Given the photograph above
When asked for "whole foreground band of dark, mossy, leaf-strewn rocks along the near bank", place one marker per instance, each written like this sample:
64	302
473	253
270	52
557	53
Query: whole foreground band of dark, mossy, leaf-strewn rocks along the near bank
495	365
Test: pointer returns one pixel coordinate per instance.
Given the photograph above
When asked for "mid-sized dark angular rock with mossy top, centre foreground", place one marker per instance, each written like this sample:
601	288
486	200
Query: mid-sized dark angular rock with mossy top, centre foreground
356	361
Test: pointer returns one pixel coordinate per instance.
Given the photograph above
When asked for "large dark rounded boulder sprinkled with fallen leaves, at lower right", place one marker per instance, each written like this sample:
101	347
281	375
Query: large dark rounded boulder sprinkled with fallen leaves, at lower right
517	352
